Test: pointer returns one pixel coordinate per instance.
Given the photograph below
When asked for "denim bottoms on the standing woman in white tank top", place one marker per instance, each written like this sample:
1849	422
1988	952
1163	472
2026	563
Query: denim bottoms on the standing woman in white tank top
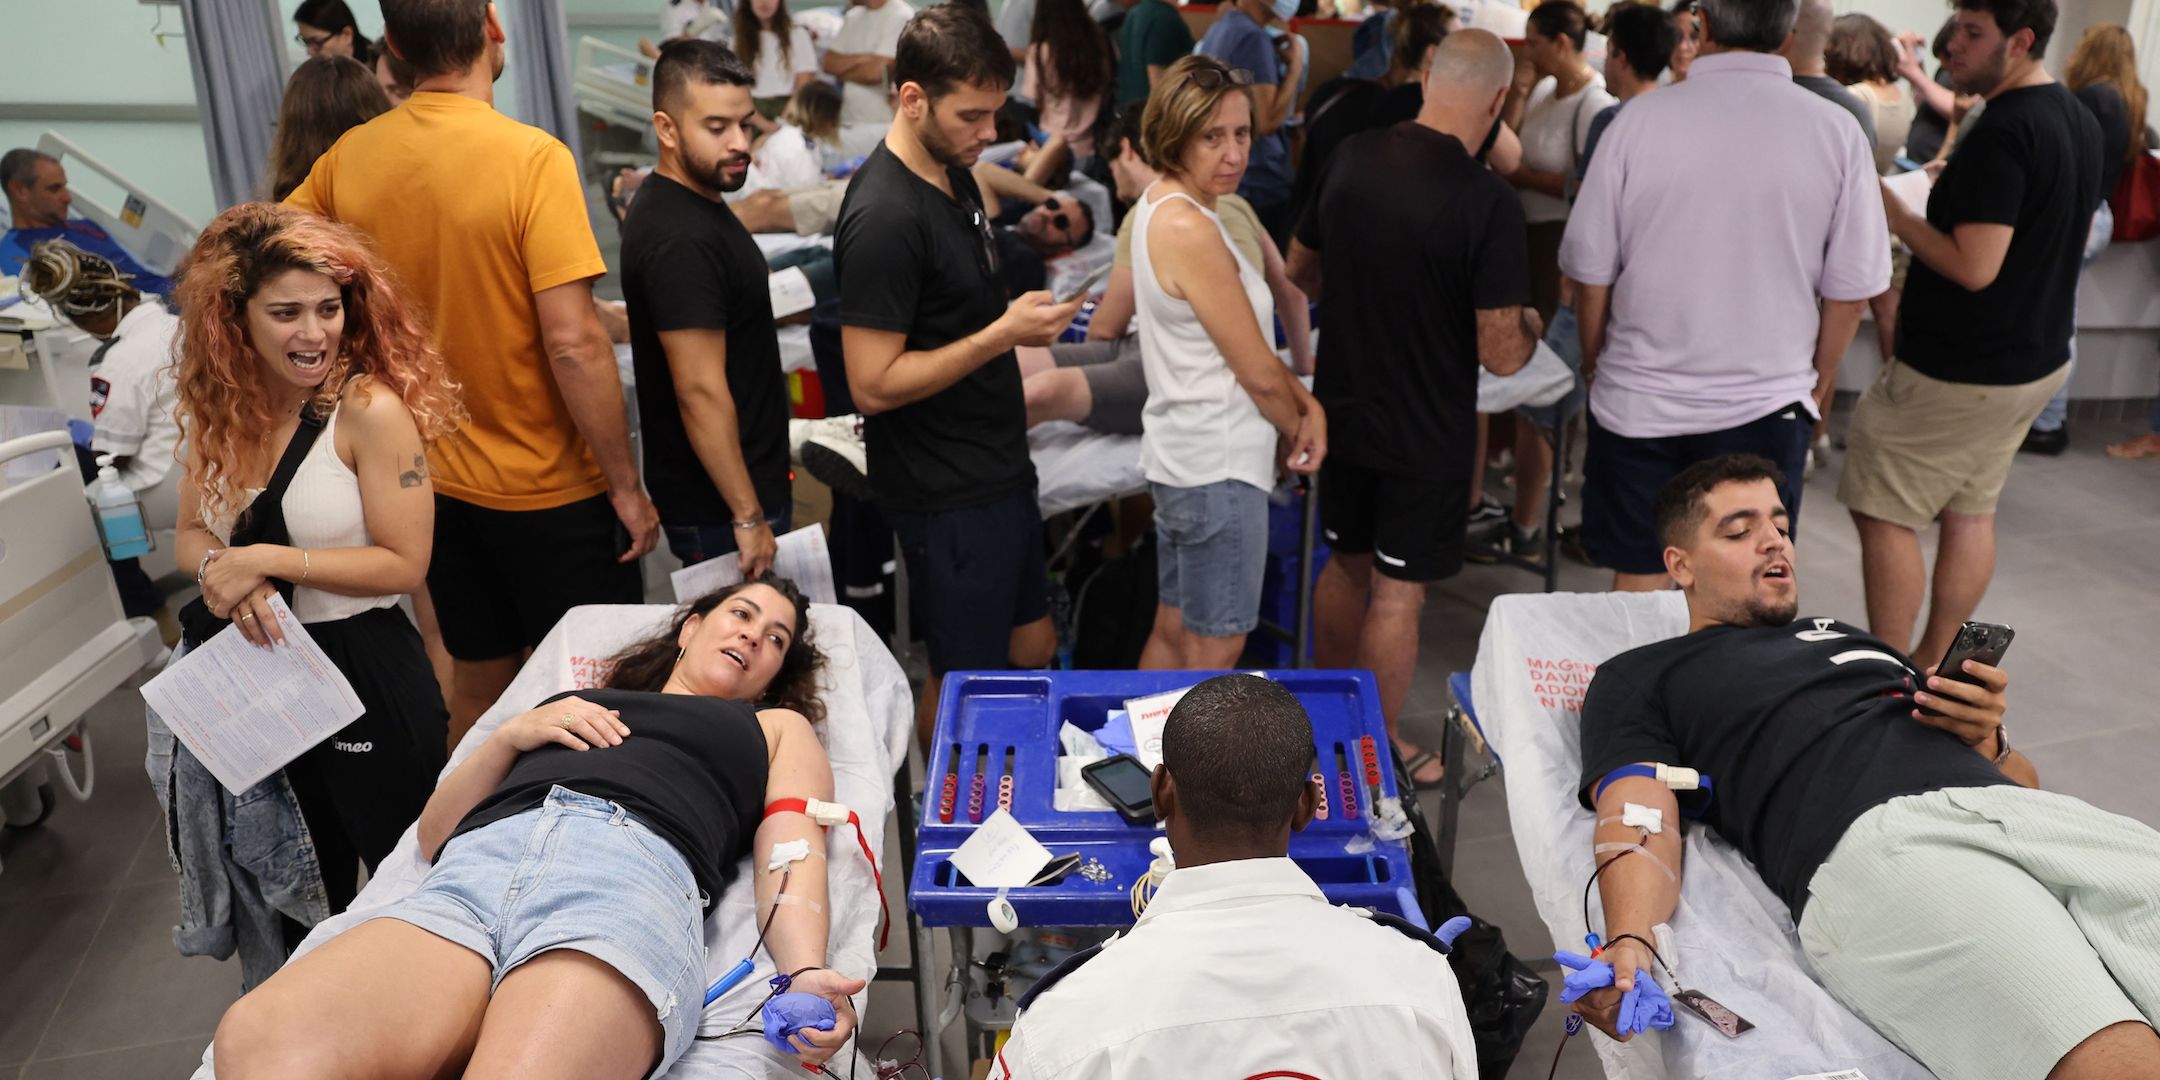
1213	554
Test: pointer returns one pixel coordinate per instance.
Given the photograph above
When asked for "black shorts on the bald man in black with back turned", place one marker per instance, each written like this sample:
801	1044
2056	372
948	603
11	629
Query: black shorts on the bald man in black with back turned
1409	526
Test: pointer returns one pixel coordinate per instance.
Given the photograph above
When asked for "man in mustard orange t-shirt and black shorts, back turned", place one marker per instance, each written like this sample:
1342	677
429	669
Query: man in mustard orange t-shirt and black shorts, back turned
539	507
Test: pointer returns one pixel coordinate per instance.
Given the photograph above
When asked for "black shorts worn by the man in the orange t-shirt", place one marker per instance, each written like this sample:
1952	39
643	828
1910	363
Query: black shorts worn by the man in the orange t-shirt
504	578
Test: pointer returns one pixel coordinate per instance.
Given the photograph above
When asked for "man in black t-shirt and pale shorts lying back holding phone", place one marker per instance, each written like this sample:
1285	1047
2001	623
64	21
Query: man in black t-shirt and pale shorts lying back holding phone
1984	926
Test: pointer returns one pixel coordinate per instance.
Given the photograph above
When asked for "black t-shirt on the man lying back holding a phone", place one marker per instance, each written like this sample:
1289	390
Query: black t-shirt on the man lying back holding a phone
1800	729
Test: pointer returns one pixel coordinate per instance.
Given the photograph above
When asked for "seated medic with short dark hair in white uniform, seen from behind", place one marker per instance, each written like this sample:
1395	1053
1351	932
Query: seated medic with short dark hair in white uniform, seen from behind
1239	967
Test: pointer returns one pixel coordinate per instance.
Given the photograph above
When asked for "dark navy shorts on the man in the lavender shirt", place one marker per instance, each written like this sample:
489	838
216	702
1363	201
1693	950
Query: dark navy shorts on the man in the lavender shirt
1623	476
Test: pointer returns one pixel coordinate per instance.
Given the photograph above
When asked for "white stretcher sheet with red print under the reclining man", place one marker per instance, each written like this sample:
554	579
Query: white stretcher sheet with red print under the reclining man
1736	939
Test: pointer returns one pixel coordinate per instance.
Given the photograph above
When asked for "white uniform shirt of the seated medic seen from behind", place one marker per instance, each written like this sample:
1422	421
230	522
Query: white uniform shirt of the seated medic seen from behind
1243	969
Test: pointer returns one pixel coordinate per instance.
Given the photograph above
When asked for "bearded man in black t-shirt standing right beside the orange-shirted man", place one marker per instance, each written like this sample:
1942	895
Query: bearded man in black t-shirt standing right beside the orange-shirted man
710	383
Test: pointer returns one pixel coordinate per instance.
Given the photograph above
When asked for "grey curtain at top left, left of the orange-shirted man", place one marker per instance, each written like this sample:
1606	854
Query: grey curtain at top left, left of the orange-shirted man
239	85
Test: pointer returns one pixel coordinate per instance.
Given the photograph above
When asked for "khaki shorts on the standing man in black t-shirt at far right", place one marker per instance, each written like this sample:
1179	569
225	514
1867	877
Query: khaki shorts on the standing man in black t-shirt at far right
1921	446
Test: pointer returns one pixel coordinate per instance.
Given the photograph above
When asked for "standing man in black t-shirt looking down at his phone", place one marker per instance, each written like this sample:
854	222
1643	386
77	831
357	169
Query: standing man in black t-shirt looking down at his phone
930	357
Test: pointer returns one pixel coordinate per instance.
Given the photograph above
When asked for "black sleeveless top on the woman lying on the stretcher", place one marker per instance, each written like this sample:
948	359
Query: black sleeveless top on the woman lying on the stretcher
692	772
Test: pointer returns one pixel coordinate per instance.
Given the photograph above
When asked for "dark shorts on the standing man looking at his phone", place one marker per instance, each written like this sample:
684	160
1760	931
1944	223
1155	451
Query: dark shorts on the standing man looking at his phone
973	576
